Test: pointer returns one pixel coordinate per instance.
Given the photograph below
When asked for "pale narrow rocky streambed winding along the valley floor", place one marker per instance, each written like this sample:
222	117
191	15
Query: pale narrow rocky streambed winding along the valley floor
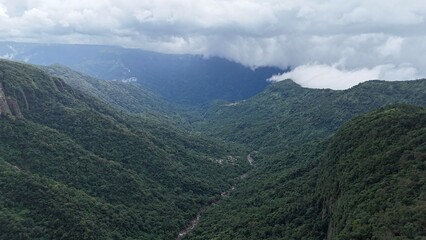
197	219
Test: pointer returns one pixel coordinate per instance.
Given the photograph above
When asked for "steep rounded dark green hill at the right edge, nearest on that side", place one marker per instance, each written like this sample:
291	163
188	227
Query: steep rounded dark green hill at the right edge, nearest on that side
374	176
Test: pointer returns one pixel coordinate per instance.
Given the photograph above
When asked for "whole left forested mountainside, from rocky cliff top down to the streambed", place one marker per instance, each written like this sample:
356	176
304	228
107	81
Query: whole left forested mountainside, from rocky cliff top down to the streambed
72	167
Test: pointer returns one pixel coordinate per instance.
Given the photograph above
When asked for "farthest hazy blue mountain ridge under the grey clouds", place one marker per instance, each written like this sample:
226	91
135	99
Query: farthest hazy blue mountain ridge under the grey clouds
186	79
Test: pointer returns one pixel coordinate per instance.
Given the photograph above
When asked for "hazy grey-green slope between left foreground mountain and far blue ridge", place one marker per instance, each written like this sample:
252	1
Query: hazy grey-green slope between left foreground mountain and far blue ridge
130	97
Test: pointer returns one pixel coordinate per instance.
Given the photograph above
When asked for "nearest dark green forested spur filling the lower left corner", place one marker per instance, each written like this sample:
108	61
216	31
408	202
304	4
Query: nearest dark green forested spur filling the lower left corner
53	188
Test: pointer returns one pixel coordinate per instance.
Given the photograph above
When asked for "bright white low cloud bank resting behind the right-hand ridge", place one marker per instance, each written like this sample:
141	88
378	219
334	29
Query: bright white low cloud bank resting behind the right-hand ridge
334	77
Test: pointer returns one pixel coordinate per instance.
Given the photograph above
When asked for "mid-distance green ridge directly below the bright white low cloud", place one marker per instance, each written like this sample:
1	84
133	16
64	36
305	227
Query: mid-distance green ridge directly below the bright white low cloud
286	114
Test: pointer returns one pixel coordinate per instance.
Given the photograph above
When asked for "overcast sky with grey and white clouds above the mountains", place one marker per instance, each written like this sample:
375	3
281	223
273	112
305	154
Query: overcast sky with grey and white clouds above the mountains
333	43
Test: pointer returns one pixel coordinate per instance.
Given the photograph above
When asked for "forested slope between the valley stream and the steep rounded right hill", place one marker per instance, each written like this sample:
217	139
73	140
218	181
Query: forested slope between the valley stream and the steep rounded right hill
275	202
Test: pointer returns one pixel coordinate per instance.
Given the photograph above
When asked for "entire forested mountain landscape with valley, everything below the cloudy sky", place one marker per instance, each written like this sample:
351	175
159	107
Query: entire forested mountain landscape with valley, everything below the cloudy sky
86	158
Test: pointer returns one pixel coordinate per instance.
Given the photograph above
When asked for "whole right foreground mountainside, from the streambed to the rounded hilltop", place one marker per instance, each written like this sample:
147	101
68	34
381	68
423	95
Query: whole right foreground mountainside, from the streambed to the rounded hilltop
366	182
